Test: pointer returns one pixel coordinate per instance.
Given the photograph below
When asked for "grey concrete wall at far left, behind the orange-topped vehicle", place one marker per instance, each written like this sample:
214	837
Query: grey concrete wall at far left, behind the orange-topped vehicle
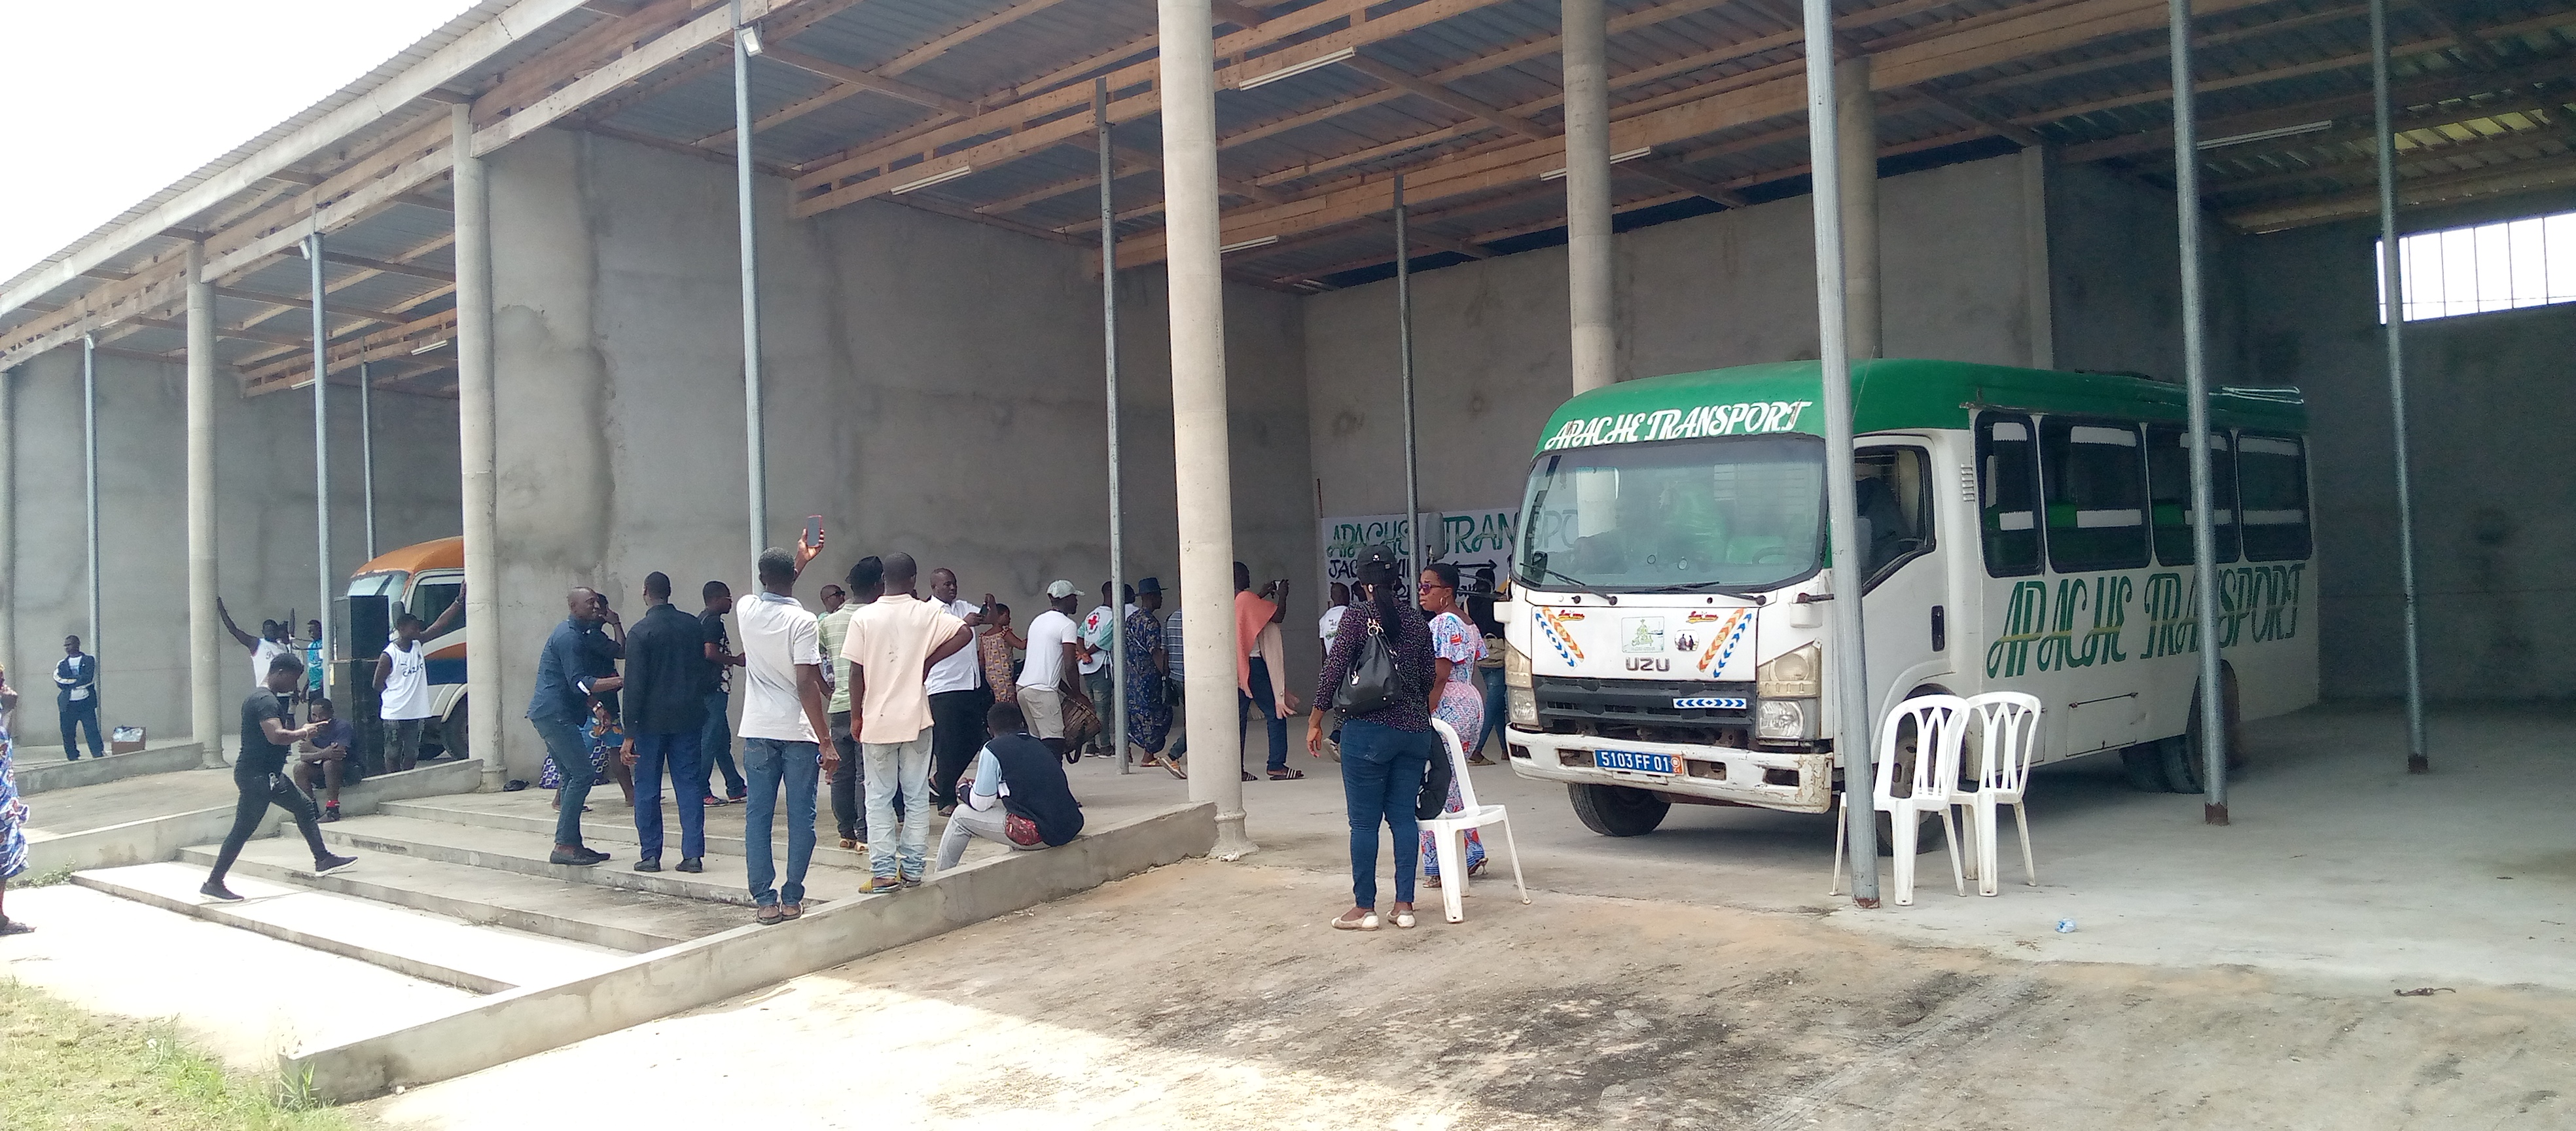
264	522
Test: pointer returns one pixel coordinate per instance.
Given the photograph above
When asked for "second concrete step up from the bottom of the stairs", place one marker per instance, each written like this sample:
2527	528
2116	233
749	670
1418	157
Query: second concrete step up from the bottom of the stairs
578	913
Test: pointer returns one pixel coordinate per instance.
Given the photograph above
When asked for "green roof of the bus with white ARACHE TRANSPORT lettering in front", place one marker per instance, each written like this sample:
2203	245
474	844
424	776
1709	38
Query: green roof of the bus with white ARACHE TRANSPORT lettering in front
1887	395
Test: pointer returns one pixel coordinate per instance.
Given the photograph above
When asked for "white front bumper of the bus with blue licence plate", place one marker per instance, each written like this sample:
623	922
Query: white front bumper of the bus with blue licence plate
1768	779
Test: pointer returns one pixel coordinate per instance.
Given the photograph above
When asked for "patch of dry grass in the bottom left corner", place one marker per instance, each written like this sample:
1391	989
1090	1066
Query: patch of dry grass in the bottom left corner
63	1068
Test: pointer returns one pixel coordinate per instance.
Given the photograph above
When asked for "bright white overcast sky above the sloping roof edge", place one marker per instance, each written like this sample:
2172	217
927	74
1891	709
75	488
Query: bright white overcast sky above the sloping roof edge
109	104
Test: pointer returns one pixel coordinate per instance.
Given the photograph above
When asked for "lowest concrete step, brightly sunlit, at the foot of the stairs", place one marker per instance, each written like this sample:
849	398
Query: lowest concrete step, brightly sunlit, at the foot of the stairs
406	942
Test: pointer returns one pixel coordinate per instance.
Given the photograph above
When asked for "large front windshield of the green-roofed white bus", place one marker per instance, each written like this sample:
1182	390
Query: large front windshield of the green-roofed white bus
1709	514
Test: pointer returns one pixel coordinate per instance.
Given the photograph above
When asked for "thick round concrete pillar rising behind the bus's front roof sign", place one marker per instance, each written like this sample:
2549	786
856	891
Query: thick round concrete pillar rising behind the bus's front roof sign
1588	195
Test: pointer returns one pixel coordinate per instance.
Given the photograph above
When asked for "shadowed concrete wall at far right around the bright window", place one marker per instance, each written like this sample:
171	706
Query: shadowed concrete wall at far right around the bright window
2490	411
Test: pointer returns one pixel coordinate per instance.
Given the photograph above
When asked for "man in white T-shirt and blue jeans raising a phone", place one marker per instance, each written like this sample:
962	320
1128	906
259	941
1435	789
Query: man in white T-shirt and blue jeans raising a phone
782	730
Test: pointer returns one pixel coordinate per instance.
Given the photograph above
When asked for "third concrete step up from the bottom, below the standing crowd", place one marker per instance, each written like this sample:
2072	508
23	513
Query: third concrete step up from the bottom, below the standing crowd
527	854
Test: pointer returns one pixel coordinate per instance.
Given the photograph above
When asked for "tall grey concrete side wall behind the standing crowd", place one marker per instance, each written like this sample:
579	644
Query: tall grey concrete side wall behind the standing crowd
934	388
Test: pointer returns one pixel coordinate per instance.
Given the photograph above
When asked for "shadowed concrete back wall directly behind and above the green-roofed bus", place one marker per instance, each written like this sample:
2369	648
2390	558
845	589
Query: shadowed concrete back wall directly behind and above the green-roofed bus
1722	290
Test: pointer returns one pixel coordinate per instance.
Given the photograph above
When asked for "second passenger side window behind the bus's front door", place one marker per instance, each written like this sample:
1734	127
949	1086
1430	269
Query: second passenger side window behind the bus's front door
2096	486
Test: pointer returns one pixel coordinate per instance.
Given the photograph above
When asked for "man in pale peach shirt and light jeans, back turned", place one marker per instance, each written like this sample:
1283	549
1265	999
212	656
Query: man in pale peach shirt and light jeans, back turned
893	648
